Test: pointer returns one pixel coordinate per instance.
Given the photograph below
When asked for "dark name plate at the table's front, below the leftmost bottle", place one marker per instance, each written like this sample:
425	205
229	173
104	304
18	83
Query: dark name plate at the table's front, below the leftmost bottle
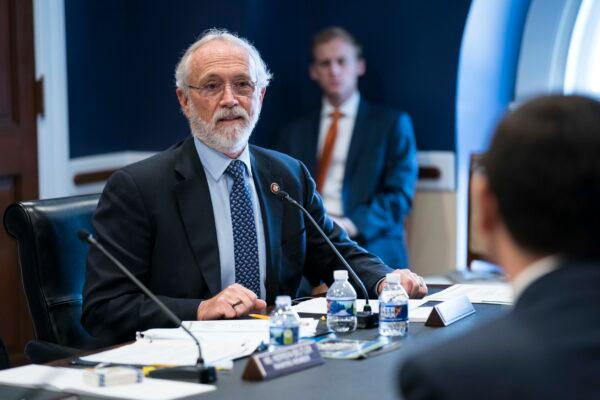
283	361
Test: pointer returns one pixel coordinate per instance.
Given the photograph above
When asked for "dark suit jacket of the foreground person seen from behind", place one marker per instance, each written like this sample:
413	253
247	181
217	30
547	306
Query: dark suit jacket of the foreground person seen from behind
547	347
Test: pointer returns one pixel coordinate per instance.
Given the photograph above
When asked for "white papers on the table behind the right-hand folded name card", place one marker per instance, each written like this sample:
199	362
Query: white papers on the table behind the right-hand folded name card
500	293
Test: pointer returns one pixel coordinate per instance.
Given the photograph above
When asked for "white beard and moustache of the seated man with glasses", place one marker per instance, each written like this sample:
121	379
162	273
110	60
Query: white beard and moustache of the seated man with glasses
227	139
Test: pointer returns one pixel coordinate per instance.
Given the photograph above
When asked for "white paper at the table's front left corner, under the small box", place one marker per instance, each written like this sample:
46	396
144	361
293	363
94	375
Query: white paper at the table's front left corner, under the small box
71	381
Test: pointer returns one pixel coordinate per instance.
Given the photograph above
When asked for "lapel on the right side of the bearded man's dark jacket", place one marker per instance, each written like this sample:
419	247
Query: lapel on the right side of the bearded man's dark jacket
272	215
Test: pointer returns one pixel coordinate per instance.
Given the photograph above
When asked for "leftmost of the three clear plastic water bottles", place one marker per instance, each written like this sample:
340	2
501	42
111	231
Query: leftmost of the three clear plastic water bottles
284	323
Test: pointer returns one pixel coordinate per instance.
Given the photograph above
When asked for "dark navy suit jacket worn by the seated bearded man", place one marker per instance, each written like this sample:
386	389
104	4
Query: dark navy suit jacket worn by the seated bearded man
156	217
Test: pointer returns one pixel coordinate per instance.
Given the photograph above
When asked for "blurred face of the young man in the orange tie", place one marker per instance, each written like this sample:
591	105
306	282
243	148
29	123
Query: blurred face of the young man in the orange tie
336	68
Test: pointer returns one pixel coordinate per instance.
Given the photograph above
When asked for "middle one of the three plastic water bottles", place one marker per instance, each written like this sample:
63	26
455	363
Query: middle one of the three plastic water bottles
341	304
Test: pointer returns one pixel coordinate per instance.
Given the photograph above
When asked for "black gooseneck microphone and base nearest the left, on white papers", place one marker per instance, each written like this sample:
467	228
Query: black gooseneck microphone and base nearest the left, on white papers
199	372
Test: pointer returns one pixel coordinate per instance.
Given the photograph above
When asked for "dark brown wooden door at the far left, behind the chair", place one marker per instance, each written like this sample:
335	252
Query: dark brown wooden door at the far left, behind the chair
18	159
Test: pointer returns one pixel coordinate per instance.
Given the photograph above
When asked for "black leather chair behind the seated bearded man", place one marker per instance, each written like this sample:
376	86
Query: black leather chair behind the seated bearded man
52	261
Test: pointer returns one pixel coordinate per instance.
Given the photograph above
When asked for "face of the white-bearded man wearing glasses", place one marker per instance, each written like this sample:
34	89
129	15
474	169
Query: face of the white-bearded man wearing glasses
223	120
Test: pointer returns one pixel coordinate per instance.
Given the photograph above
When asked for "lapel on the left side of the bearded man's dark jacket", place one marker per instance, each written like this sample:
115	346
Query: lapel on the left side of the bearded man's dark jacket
196	212
